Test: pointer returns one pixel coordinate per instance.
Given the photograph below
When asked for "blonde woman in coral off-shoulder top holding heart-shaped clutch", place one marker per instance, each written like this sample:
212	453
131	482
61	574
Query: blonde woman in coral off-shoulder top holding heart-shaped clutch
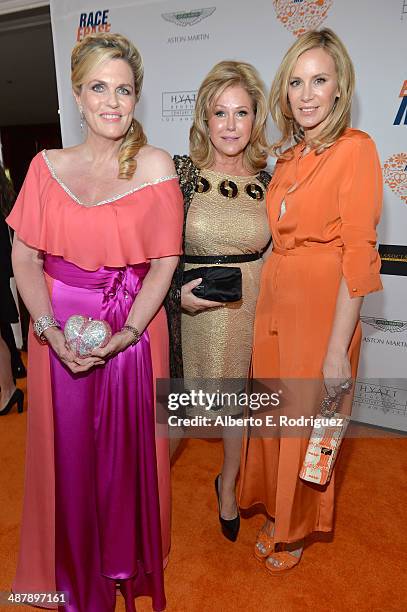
98	233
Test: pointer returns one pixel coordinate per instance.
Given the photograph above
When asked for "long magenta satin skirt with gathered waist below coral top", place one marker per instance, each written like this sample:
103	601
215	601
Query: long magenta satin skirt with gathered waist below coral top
107	508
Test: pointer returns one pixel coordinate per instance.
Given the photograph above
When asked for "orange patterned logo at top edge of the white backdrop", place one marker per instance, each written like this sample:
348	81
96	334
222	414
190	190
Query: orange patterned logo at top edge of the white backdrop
299	16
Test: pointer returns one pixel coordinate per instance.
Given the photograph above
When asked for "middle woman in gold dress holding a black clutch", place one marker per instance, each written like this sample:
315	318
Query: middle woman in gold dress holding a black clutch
224	187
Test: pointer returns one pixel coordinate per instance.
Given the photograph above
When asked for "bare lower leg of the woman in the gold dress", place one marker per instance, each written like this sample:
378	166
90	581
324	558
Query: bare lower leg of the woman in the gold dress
232	443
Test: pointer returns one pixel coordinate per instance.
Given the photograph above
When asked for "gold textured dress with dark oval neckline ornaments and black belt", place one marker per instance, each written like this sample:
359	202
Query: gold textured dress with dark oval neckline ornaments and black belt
217	343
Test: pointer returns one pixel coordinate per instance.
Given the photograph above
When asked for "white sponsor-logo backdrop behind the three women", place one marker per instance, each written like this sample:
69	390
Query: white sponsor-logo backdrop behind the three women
180	42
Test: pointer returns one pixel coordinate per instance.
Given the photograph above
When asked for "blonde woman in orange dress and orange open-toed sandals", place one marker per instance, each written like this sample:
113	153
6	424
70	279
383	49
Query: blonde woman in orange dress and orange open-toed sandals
323	205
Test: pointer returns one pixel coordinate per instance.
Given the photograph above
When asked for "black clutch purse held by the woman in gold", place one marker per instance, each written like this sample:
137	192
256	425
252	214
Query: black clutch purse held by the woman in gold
219	283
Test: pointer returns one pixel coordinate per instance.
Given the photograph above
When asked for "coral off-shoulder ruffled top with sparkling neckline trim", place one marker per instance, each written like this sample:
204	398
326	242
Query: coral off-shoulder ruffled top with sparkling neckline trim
141	224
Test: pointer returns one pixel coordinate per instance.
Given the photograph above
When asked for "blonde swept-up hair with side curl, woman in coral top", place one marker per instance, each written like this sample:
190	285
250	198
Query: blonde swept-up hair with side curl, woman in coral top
92	51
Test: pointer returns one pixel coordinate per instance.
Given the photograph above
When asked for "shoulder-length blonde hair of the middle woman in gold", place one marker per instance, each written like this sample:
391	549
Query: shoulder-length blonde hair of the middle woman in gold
223	75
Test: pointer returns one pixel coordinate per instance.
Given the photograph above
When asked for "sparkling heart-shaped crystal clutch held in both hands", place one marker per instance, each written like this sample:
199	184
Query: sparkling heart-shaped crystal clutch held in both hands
83	334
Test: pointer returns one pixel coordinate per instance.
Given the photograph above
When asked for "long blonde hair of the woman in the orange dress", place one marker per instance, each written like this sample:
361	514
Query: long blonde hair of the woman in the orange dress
339	117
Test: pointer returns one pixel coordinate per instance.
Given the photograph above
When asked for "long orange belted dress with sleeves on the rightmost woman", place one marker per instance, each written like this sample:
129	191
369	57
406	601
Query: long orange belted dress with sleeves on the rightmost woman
323	210
